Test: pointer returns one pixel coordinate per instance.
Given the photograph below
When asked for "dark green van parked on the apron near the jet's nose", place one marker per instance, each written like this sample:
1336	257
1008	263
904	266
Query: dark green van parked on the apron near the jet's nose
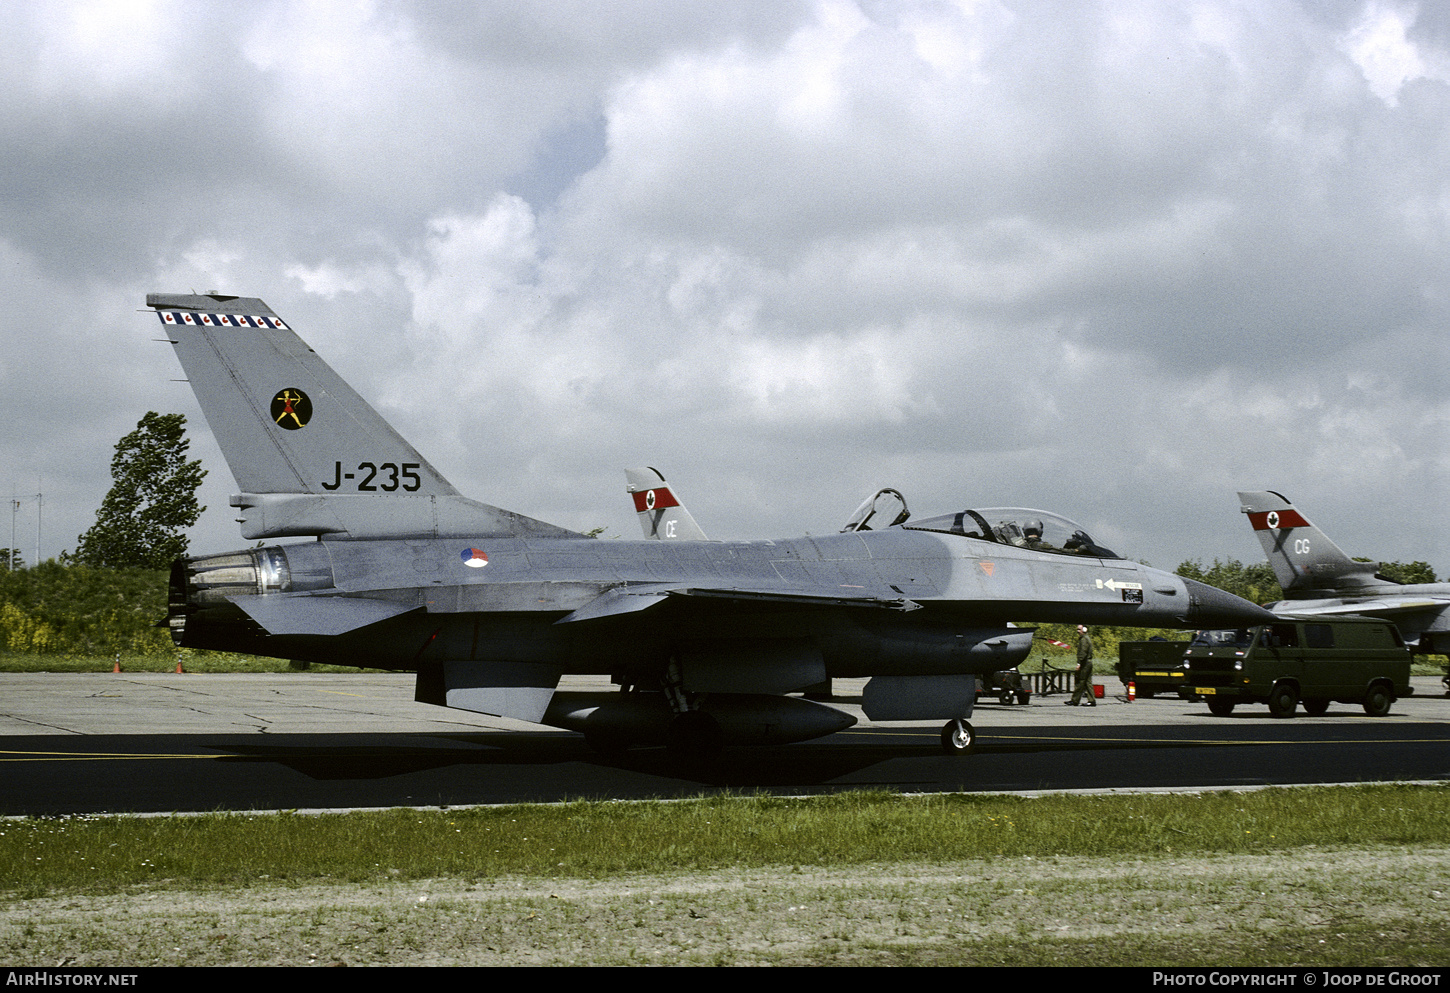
1313	662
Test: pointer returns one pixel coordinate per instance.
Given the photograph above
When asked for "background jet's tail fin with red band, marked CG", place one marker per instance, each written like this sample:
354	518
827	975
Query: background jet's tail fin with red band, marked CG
1303	557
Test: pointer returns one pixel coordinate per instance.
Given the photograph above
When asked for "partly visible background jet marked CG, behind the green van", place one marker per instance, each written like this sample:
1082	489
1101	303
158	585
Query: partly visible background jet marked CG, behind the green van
1319	579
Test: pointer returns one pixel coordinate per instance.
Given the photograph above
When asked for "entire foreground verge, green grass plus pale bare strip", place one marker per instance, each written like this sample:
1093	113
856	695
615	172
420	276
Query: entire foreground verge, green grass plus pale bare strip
1355	876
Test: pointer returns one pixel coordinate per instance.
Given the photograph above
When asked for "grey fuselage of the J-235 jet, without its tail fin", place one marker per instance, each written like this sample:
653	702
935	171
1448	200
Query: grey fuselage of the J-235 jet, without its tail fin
887	602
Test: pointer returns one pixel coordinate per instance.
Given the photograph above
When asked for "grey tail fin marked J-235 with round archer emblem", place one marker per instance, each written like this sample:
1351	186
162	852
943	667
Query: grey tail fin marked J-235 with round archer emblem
310	454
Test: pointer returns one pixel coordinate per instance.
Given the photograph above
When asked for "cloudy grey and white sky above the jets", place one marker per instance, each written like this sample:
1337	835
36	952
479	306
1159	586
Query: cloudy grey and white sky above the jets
1117	260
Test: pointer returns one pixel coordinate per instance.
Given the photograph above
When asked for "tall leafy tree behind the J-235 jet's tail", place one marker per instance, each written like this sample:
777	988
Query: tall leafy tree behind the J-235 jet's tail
152	501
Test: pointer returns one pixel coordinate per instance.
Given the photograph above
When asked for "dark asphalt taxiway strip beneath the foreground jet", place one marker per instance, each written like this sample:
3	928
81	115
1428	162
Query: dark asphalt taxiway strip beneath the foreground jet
53	775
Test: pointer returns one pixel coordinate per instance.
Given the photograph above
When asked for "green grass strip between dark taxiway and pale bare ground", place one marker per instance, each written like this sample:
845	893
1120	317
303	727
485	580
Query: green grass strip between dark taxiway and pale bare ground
601	840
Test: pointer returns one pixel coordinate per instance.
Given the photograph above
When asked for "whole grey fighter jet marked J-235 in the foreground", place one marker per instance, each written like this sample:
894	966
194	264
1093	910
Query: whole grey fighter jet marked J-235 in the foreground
707	640
